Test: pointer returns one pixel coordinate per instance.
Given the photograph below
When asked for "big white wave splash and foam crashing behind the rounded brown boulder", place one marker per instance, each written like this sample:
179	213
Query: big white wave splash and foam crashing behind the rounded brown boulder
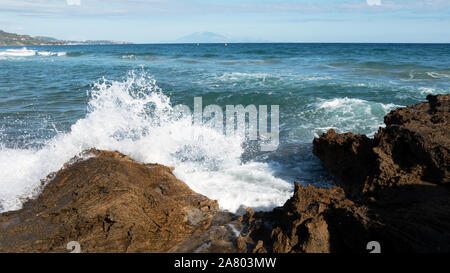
133	117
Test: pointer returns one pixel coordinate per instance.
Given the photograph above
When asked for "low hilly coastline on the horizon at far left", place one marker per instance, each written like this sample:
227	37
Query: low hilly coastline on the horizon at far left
13	39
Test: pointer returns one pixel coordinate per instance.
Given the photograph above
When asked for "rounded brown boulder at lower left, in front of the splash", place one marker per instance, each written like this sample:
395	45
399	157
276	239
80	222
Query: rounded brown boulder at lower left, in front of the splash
110	203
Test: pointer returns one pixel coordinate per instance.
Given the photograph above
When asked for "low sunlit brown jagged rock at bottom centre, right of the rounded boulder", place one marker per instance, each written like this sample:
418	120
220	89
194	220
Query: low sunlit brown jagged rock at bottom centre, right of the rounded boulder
312	221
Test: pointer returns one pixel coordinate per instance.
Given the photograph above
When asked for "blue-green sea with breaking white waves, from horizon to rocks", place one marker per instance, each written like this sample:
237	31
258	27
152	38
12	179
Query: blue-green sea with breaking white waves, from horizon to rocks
57	101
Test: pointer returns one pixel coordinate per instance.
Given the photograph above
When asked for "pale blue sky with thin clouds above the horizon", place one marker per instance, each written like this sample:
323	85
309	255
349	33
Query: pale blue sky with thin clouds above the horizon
154	21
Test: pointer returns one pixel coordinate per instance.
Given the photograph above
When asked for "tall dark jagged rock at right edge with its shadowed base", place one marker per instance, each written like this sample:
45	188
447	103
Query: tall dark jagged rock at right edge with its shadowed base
401	175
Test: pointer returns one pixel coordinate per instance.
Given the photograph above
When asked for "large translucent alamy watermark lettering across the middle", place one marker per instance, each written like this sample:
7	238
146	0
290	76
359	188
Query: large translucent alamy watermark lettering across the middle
250	121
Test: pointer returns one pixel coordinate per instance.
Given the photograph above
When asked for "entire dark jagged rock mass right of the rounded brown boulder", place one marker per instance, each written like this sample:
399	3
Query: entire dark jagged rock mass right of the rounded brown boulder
393	189
